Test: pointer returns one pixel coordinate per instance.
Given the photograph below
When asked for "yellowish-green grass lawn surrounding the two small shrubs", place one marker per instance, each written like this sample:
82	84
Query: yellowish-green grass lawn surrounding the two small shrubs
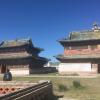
90	86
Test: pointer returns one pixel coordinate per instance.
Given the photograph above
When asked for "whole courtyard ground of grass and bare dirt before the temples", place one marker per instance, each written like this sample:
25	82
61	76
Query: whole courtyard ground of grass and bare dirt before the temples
63	86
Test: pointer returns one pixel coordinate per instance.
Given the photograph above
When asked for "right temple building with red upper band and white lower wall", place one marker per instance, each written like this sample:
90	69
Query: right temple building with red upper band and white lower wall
81	53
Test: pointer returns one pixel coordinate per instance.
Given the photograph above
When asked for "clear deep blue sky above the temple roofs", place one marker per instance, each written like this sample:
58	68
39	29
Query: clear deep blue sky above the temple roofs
46	21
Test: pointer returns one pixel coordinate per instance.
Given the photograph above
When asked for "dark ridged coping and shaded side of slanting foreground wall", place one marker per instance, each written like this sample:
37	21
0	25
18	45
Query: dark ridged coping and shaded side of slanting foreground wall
41	91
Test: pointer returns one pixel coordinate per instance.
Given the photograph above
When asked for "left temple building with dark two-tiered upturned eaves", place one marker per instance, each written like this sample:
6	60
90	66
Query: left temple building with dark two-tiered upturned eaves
20	56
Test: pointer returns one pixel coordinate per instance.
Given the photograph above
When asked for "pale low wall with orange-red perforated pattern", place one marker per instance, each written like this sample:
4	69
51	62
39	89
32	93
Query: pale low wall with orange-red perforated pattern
7	87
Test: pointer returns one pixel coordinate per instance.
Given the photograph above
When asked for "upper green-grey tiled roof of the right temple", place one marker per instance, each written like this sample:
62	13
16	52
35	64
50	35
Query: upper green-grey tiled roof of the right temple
93	34
